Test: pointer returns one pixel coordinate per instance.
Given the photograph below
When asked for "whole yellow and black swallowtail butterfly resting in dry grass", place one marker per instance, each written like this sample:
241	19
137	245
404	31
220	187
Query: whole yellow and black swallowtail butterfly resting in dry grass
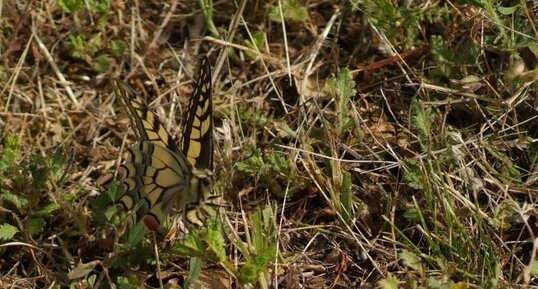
157	175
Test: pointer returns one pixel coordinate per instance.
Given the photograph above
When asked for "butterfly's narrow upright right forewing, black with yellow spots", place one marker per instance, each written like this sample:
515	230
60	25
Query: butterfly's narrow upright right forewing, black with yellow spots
197	137
